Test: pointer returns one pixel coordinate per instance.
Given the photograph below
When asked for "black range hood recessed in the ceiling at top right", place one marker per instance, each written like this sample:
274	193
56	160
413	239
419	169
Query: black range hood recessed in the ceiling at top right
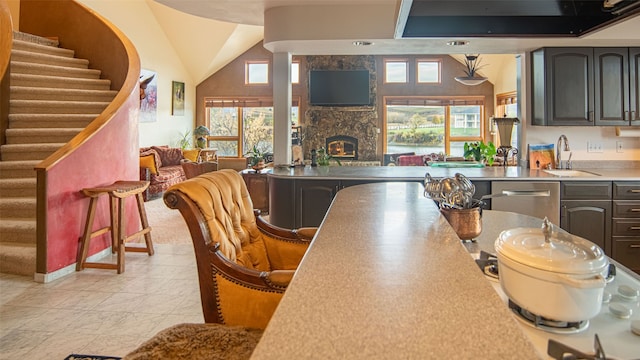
510	18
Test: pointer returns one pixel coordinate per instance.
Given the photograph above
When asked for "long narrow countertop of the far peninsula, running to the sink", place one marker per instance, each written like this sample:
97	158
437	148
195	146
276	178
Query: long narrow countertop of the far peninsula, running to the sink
413	173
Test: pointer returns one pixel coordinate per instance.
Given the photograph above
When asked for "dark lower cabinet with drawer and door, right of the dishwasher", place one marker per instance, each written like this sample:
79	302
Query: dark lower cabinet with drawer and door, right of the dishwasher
586	211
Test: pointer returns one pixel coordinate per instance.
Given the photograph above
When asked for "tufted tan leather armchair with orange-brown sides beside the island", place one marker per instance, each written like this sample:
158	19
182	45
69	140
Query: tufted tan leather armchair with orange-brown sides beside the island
244	263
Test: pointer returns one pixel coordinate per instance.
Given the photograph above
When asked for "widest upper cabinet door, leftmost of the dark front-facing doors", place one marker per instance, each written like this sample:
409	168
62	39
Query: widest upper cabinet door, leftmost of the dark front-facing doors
569	85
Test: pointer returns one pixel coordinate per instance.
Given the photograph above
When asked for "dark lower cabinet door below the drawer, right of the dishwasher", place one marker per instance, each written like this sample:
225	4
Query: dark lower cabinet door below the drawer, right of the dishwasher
588	219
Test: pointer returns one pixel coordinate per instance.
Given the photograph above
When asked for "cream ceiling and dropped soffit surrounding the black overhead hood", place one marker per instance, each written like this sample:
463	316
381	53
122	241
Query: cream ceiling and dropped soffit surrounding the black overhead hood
329	27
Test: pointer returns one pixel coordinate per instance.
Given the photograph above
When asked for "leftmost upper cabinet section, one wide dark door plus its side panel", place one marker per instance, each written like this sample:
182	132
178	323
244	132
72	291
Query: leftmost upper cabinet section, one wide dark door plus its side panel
562	86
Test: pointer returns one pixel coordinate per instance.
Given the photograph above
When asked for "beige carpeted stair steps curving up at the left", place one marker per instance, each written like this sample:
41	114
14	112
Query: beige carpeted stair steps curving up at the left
53	96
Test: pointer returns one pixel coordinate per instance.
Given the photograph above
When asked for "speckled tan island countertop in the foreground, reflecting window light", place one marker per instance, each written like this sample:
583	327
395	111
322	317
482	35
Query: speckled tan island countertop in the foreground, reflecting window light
396	284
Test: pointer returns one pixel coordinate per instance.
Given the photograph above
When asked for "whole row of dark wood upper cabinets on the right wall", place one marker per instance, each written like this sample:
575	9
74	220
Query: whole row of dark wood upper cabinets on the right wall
585	86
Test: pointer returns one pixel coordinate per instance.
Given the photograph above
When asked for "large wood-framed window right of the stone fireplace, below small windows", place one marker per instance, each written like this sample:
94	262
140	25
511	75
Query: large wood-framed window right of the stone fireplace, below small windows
427	125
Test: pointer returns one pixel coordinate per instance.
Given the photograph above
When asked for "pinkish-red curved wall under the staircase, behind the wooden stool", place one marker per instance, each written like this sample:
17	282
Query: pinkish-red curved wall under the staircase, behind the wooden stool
110	155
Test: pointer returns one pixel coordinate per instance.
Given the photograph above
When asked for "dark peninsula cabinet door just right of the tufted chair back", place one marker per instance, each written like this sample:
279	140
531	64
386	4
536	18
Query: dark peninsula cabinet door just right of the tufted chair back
313	198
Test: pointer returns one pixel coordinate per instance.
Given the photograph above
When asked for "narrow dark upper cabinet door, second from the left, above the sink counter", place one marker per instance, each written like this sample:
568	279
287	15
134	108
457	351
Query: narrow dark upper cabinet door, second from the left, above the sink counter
611	74
